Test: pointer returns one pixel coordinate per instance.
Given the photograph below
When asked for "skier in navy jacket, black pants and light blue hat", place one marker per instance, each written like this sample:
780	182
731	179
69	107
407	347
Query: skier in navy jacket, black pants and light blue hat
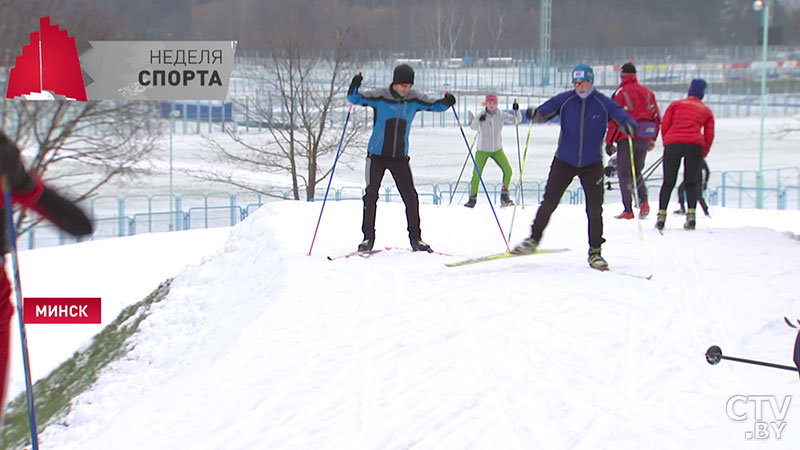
584	119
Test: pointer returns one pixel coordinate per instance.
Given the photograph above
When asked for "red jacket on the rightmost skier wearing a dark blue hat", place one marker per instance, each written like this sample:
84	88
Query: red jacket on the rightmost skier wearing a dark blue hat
688	121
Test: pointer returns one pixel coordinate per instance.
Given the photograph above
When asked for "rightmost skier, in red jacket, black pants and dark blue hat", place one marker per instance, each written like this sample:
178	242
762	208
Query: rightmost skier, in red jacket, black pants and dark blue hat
687	132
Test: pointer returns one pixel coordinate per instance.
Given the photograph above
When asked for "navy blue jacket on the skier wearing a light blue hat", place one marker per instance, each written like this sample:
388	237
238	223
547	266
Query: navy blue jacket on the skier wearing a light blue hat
583	125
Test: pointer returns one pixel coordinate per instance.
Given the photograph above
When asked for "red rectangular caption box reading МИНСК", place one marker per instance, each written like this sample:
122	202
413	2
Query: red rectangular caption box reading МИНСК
61	310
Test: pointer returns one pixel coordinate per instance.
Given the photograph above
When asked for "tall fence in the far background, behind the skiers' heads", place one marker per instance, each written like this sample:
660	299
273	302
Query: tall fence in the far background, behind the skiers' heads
733	73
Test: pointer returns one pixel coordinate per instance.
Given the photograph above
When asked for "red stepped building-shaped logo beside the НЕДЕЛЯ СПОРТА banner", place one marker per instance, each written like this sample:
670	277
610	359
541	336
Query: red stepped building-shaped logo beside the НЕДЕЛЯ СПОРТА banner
49	63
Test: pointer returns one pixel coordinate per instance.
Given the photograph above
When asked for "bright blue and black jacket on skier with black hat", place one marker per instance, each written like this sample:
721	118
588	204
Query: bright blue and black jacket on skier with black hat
392	118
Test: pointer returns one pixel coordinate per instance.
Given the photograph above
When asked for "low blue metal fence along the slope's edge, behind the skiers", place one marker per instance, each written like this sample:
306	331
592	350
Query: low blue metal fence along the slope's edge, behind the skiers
138	214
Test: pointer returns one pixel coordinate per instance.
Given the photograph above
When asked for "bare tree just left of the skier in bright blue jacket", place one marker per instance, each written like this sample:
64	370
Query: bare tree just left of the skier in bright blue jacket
309	88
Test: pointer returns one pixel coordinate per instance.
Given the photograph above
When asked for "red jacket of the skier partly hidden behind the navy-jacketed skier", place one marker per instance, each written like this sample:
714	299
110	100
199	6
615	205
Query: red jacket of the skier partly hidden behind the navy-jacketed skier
639	102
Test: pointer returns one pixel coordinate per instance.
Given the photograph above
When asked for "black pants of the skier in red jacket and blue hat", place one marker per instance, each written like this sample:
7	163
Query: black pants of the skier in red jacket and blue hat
692	156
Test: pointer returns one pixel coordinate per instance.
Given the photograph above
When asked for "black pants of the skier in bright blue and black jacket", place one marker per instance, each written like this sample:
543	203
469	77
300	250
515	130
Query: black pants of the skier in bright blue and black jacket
401	172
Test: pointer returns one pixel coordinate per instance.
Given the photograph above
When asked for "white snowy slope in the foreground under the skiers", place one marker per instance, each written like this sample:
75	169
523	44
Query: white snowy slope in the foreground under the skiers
265	347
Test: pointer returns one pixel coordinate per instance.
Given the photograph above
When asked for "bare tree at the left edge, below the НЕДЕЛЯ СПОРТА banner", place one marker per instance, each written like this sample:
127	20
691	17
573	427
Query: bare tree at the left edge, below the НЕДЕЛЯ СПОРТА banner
80	146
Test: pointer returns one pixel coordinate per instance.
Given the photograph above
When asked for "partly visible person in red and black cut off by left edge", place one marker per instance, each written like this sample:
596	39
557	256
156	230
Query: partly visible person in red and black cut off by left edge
27	192
